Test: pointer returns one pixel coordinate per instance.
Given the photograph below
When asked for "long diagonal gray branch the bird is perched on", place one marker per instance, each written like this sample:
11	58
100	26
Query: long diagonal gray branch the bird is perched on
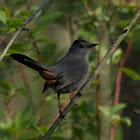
93	76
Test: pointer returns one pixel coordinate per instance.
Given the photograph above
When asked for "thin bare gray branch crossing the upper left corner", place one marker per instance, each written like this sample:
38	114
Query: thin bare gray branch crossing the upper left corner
21	28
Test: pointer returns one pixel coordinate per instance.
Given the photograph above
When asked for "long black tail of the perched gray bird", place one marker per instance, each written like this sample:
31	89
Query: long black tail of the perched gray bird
28	62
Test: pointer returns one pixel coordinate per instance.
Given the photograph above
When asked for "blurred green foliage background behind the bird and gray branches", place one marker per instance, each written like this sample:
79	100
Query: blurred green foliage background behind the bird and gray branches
25	114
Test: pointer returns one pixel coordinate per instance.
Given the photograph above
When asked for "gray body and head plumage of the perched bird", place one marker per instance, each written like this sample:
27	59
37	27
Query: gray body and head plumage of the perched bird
73	69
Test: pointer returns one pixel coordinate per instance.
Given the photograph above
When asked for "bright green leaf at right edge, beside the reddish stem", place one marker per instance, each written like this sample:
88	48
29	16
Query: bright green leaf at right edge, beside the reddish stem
131	73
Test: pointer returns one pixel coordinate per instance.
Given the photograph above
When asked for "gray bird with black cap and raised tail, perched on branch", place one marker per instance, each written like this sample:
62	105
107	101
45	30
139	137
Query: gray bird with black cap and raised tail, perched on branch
69	74
